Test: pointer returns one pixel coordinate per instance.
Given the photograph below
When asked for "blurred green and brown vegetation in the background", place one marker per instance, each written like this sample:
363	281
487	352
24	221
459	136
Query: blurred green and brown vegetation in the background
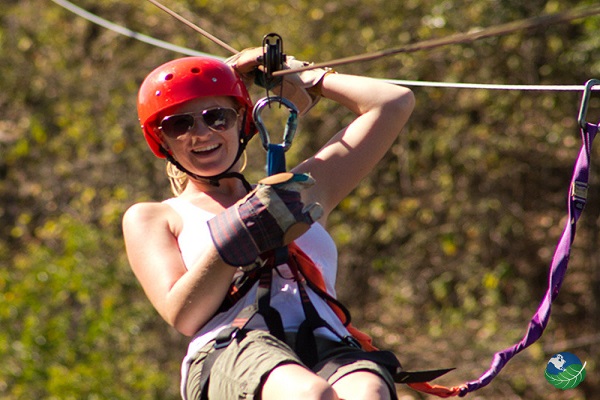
444	249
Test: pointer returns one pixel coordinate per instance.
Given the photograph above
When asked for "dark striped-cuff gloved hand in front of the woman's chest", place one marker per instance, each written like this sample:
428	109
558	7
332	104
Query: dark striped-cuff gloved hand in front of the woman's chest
269	217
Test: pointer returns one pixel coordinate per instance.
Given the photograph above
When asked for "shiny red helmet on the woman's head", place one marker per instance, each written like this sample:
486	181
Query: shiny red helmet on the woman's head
186	79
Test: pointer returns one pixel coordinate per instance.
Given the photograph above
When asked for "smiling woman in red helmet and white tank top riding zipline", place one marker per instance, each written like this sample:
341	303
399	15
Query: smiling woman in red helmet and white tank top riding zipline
196	112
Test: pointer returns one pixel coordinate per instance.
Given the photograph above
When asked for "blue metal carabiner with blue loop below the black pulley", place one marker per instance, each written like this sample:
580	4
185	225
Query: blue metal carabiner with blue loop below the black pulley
276	152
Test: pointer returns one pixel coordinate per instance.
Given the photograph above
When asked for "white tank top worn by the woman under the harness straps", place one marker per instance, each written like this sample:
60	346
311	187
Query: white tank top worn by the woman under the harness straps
285	298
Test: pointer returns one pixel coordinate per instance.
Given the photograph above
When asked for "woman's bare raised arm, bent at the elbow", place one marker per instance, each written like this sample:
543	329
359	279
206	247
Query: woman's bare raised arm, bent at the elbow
382	111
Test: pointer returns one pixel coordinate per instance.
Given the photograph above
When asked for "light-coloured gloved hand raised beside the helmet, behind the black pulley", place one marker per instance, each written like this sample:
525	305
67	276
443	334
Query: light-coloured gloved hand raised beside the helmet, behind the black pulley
302	88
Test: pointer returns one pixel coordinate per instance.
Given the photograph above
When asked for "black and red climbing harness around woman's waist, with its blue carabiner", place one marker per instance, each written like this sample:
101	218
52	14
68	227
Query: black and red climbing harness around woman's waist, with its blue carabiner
306	275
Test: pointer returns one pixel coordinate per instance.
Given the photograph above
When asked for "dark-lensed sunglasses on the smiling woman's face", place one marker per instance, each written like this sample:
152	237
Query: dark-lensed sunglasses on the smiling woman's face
216	119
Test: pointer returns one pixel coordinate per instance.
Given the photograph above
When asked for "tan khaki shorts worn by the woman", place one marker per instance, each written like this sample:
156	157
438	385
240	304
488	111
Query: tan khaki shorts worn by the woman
241	369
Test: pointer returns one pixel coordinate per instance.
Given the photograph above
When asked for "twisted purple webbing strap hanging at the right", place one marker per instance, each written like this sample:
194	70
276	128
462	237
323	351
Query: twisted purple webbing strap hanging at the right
558	268
